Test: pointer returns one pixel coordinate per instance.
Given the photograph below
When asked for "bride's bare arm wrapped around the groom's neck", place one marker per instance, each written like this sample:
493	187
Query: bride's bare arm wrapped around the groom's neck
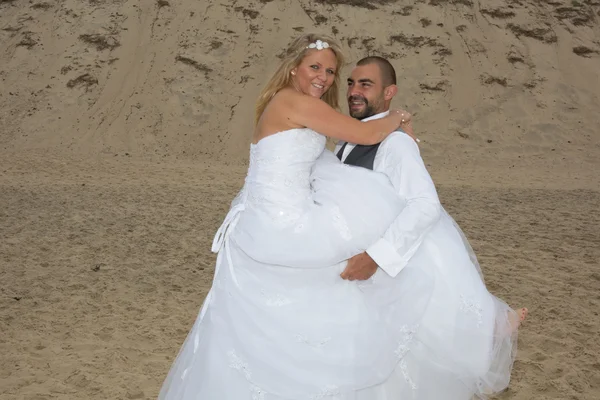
317	115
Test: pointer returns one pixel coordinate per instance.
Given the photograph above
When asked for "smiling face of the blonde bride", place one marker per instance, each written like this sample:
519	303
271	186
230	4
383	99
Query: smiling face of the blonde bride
316	72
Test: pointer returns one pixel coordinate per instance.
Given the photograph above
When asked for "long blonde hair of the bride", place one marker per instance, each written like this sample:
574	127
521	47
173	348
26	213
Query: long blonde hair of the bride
292	57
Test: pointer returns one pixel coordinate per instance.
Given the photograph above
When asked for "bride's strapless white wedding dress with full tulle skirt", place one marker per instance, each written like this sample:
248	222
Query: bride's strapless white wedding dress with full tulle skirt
280	324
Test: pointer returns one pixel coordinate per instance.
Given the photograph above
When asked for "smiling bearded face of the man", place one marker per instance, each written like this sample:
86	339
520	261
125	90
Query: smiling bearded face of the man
365	93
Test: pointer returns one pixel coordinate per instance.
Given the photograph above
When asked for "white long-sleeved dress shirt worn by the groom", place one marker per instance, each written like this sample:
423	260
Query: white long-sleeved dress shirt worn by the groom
399	158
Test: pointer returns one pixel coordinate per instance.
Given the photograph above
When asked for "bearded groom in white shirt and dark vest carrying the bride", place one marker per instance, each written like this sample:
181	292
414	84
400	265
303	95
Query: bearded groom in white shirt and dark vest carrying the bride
371	88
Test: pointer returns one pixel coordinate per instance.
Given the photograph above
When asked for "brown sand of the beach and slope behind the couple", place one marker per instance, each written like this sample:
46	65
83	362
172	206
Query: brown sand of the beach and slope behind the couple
124	132
